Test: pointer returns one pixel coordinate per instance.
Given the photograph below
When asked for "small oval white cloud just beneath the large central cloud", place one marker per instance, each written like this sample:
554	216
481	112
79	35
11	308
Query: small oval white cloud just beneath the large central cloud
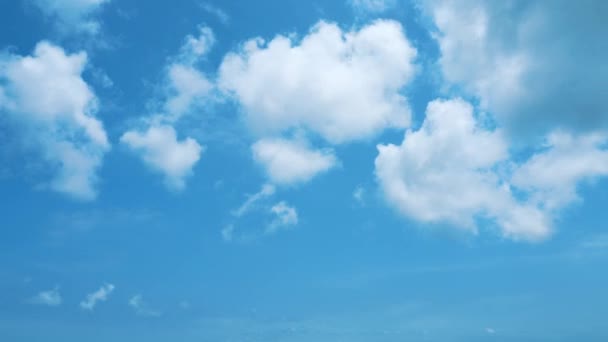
290	162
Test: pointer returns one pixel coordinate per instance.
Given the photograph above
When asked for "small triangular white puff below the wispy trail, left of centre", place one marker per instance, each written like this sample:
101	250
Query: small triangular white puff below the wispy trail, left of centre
163	152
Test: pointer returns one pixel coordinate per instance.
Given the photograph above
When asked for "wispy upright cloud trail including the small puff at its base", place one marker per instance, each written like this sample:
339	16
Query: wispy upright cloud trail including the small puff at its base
156	142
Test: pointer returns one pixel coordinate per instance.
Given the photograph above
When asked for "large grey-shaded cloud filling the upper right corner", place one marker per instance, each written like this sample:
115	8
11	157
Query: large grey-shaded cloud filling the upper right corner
536	65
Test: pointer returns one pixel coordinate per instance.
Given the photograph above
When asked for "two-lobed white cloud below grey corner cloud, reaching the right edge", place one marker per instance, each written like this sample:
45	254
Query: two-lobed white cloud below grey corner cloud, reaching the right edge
454	170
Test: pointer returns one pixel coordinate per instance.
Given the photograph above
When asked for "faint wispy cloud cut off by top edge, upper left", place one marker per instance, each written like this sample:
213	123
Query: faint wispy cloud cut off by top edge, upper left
73	15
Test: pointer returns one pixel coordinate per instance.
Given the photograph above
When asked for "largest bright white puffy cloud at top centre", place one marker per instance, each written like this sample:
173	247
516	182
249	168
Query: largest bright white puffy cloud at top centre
342	85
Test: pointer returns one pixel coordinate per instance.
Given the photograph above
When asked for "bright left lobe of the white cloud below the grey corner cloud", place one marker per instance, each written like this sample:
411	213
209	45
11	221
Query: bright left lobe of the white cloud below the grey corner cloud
449	172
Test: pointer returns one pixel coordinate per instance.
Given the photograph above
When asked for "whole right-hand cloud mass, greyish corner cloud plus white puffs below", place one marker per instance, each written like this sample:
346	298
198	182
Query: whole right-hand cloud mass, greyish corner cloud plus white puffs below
533	66
